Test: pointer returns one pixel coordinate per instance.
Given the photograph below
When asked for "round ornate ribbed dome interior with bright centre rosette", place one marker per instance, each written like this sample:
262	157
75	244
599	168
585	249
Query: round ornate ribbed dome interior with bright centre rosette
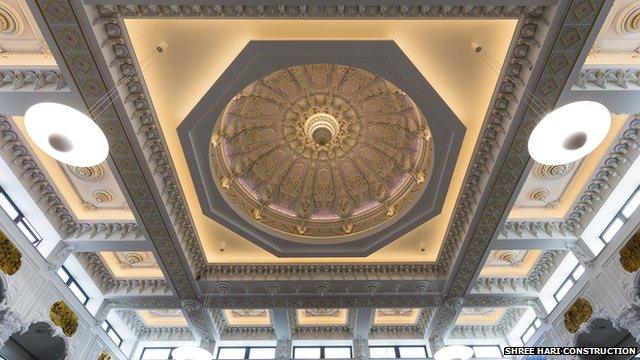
321	150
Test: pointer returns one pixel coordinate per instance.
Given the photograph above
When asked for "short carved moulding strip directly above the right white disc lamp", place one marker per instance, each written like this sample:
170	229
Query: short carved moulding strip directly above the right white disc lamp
609	78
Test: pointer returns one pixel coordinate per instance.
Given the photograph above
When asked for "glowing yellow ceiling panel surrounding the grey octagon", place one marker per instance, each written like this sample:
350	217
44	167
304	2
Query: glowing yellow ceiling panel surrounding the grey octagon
199	51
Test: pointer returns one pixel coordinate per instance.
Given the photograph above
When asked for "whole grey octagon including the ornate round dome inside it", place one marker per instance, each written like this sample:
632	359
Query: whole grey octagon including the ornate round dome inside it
321	148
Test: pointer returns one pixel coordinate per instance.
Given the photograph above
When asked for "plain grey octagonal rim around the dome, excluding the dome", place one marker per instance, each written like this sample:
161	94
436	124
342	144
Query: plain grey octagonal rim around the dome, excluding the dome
260	58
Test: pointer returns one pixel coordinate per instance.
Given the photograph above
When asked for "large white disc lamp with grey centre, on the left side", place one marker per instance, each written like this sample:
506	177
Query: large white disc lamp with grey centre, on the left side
66	134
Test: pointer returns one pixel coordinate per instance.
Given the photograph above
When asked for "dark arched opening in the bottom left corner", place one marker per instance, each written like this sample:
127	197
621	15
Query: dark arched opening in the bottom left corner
39	342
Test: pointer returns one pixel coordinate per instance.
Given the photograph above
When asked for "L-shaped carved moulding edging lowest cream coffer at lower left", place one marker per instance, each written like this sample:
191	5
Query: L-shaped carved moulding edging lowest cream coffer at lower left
155	333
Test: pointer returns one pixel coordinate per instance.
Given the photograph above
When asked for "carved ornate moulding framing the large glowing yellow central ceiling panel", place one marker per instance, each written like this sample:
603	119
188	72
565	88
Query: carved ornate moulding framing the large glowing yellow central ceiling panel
146	123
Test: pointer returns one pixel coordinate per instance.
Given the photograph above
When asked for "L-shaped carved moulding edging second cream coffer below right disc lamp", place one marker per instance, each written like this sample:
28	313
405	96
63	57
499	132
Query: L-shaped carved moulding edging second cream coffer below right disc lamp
545	266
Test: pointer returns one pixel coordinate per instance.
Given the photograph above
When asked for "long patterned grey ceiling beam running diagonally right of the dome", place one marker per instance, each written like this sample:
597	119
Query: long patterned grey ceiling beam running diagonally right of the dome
513	160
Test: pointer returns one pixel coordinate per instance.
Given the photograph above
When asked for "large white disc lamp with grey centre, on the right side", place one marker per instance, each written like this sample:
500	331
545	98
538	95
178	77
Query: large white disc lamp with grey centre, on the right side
569	133
